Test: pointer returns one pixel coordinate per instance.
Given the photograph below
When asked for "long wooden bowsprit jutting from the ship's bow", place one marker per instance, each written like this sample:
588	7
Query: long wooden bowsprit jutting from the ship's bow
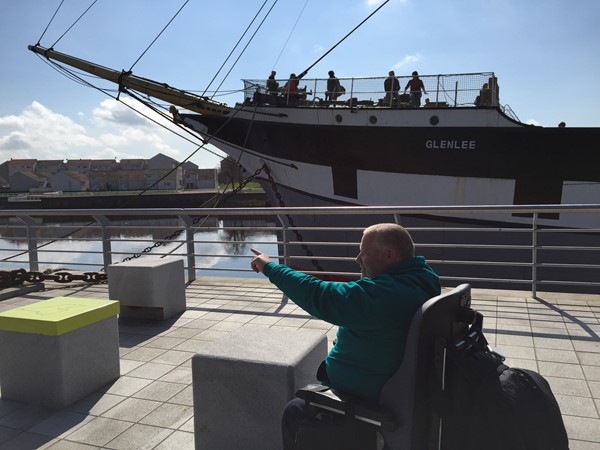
162	91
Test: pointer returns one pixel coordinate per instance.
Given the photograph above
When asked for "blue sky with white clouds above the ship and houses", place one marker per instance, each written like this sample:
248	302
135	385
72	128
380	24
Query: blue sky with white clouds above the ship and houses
545	53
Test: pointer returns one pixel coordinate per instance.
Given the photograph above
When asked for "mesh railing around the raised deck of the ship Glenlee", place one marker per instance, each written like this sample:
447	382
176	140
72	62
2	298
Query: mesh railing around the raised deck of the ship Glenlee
450	90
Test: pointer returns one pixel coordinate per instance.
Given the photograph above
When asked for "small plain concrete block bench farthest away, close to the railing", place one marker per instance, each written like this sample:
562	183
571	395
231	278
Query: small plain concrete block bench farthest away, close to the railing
148	287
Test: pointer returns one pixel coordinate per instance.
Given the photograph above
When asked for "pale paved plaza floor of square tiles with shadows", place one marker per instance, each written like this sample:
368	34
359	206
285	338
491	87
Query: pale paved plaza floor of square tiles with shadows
150	406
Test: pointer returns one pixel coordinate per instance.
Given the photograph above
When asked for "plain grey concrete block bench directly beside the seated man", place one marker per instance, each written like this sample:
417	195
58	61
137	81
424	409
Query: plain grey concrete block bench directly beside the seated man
242	383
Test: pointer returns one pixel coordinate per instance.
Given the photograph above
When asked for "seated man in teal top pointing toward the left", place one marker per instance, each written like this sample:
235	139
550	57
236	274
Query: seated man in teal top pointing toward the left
373	315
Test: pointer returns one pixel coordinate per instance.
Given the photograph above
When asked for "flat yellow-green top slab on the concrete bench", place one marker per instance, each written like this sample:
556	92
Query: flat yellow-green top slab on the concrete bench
57	316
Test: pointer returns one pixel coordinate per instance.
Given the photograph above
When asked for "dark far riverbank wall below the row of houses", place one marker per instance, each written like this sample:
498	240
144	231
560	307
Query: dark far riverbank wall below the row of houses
200	198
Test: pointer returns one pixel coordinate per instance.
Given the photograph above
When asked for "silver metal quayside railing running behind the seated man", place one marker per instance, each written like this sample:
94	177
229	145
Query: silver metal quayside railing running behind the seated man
458	247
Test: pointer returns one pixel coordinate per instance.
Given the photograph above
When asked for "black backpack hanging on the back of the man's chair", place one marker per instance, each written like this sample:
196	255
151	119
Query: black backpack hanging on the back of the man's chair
488	405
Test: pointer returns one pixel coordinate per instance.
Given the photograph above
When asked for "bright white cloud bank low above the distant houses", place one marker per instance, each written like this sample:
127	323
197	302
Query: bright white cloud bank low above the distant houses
115	131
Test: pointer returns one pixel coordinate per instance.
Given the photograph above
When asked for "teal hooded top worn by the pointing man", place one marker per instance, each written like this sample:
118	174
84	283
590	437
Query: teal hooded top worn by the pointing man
373	315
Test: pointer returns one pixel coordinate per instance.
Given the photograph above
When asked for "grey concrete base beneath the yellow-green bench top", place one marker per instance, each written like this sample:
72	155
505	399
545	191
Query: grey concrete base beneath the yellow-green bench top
55	371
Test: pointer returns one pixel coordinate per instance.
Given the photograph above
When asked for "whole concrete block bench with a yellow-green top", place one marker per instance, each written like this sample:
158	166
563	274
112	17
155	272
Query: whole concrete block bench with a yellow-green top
57	351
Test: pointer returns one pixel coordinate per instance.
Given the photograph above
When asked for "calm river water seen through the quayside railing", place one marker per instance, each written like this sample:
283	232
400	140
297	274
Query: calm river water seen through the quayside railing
221	249
